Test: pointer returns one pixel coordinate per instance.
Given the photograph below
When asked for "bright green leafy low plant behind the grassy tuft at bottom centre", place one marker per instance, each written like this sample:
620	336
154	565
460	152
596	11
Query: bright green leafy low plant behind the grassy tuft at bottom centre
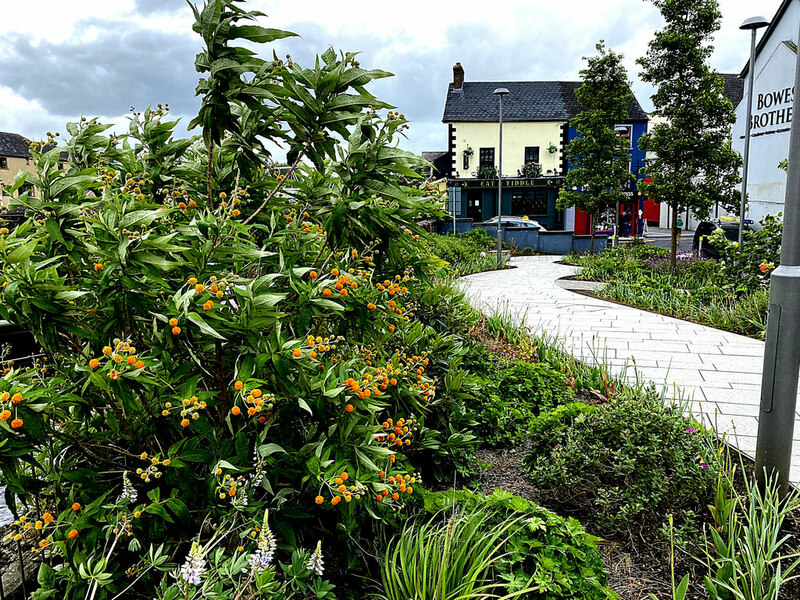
552	555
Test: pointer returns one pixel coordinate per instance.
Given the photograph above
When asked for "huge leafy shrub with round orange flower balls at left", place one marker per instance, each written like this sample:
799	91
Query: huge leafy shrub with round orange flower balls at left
220	335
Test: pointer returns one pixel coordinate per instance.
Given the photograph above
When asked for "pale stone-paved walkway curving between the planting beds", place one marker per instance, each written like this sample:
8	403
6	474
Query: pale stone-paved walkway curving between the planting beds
716	371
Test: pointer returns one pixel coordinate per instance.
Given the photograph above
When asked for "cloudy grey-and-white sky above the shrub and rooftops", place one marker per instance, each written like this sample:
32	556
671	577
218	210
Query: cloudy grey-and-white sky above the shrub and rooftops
62	59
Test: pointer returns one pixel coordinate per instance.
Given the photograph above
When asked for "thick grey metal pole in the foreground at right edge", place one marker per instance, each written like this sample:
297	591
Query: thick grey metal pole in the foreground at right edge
782	352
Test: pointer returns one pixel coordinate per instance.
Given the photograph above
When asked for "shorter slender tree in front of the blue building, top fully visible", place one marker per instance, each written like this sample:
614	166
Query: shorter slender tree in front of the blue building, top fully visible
599	158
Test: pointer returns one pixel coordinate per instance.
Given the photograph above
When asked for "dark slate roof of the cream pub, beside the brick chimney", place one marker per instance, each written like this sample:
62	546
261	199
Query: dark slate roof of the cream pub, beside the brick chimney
526	101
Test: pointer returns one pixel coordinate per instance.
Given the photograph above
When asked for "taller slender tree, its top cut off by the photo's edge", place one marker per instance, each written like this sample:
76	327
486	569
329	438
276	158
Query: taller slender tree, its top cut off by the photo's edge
694	165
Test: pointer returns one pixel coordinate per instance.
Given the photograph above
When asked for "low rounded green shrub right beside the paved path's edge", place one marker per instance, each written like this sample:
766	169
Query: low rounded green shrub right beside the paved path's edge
627	463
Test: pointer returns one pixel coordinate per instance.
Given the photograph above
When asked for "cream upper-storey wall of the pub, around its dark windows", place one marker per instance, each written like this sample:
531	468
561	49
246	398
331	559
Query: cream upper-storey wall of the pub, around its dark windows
516	136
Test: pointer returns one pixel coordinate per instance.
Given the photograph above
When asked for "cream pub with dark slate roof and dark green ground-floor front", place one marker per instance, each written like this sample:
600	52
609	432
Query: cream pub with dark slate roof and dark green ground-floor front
536	131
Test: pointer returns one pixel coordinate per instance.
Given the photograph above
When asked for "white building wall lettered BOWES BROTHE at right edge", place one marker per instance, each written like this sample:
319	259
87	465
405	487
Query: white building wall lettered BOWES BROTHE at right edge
773	95
